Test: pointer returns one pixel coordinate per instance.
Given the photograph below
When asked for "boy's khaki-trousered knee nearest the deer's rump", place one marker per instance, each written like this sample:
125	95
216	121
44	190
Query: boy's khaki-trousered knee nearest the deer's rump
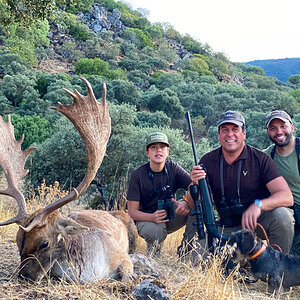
152	232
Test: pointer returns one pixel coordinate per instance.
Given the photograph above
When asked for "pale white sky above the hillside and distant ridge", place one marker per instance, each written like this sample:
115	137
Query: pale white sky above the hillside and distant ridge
244	30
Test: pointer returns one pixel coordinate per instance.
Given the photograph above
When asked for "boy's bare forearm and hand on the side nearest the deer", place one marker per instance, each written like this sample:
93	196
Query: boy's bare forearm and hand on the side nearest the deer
137	215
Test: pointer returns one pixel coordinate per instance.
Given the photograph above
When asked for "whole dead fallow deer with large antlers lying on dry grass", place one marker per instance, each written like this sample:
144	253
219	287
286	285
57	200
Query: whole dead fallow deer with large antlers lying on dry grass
87	245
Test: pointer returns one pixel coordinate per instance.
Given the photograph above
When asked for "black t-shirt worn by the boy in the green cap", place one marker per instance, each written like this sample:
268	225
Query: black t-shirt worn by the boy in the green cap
141	186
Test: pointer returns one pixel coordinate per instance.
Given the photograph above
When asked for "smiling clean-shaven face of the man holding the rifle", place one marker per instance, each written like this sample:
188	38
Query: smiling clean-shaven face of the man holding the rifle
232	138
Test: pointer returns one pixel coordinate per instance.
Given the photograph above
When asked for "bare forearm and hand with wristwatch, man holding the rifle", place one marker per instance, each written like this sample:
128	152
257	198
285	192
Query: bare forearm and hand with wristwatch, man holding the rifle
280	196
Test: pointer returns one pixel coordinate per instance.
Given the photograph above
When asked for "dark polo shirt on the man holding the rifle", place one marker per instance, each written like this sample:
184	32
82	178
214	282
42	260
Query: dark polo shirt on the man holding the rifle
257	169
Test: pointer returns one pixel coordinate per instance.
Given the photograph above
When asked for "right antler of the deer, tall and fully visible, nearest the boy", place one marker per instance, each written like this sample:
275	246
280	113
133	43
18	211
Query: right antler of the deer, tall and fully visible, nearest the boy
92	121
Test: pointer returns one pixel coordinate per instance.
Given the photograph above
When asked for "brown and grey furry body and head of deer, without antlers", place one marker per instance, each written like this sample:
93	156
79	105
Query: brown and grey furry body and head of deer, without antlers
86	246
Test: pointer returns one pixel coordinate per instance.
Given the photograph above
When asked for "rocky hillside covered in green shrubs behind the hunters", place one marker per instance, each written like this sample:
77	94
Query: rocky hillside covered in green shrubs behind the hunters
153	76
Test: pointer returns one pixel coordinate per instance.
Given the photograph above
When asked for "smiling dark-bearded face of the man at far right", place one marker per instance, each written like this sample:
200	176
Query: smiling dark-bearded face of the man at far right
280	132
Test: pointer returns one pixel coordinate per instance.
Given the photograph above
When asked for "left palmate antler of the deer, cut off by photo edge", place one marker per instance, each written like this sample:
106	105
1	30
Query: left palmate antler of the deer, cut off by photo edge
12	161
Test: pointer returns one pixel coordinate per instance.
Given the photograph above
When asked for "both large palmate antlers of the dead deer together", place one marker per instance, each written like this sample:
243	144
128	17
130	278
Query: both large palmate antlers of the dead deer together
92	121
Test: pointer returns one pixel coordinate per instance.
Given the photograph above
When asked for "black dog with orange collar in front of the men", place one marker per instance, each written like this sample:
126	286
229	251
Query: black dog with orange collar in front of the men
267	264
